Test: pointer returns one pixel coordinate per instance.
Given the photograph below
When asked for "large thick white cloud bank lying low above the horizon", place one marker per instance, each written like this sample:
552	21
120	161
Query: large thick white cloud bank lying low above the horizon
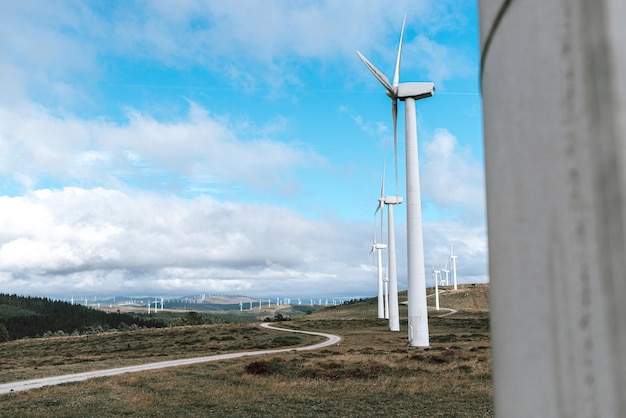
107	241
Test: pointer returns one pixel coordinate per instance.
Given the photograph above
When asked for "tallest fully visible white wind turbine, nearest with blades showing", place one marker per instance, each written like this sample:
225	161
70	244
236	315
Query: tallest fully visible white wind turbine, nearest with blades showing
409	93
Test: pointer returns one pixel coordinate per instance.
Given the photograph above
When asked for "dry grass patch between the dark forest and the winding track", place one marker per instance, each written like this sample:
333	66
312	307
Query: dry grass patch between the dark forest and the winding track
34	358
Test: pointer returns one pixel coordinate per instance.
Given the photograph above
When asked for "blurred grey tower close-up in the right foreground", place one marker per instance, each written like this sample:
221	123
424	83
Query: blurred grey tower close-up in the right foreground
554	90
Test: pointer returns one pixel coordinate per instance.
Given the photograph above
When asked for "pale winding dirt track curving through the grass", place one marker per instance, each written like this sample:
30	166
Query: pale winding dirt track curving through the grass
57	380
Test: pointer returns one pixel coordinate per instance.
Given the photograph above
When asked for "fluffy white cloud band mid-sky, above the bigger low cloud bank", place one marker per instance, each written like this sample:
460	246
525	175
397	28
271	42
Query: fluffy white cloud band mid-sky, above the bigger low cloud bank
192	150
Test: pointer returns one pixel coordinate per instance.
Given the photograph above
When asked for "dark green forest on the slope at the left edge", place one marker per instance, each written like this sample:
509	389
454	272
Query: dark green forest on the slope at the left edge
22	316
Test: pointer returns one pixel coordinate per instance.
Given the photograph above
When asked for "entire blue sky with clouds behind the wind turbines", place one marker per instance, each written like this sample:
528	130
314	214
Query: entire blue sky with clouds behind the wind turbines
202	146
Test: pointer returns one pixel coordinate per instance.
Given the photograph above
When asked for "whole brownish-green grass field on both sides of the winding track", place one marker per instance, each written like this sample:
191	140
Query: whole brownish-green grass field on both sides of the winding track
371	372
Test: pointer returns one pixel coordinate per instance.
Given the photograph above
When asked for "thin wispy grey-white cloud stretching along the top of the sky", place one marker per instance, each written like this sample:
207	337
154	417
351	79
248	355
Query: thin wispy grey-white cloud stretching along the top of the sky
48	46
